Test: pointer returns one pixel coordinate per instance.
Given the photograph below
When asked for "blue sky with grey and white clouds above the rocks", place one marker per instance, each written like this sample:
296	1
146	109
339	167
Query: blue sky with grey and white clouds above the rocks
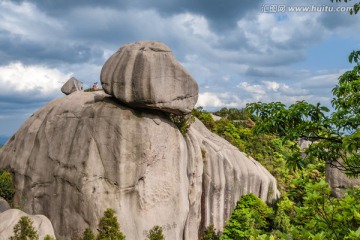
239	51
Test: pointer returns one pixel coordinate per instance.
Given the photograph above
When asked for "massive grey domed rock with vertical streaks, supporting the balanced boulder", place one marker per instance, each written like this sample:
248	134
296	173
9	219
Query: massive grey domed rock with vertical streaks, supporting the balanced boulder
85	152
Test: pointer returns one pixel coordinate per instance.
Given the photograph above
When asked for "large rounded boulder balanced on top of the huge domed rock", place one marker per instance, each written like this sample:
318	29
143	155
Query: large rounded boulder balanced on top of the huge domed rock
145	74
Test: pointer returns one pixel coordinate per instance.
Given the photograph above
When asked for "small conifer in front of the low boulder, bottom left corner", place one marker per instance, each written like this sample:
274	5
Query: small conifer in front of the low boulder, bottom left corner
24	230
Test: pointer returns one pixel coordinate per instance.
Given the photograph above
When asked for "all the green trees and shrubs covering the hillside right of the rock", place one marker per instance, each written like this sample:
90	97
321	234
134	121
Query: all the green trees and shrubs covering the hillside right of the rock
306	209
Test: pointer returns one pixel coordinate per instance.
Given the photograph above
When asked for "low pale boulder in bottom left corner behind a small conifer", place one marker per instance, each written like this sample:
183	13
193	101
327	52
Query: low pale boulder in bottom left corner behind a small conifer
11	217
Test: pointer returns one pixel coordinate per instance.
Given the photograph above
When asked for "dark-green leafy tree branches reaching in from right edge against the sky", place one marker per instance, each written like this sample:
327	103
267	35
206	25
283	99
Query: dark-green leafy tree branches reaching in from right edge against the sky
335	137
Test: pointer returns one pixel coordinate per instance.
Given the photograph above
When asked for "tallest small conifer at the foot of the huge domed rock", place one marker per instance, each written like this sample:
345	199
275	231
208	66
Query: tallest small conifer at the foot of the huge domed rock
109	228
